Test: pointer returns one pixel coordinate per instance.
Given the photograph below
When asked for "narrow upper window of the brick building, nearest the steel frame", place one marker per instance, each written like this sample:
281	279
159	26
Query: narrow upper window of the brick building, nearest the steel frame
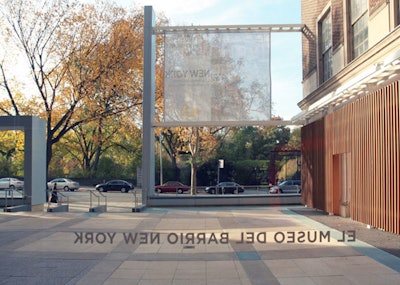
326	46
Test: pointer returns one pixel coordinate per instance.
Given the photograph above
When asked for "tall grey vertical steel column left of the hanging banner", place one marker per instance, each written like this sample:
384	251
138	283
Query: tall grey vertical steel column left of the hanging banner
149	60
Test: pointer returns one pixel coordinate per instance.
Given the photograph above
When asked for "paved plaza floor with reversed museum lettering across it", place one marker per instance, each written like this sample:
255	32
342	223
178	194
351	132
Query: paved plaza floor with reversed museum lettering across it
210	245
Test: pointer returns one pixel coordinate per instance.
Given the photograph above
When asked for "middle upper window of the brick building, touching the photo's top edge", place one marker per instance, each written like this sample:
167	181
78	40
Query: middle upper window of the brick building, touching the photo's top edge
359	26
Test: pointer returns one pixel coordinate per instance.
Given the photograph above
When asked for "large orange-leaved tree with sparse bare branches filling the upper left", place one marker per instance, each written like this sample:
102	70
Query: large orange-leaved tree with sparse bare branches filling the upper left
83	59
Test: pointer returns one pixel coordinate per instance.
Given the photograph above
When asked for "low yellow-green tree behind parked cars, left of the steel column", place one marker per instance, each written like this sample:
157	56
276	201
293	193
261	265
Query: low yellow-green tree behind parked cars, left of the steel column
90	144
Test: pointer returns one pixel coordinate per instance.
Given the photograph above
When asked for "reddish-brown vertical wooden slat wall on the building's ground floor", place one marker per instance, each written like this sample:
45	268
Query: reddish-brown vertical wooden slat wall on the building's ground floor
368	129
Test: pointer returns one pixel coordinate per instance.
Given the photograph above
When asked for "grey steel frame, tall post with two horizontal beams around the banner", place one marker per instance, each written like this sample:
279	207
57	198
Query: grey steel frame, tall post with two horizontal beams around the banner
150	30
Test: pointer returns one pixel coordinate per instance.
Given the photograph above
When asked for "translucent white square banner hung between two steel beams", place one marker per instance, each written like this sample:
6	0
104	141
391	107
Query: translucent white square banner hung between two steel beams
217	76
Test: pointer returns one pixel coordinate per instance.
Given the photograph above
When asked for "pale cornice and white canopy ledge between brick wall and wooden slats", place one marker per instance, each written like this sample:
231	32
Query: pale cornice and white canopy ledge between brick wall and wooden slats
380	62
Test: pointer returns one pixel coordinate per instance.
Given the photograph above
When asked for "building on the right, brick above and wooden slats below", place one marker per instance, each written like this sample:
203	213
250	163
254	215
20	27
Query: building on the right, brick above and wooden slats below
351	110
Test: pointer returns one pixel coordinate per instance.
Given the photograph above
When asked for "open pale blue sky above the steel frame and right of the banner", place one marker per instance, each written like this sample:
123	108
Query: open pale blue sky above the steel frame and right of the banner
286	71
